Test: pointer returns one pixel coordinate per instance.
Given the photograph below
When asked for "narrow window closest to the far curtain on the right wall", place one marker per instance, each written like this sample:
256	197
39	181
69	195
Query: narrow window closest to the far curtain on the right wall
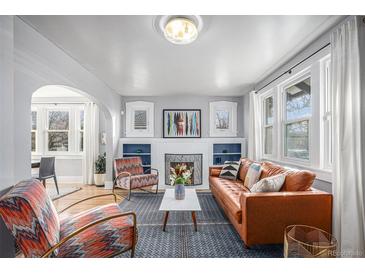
268	125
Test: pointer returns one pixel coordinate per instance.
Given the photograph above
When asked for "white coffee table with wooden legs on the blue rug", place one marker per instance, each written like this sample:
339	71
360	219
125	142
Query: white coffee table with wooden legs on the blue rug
190	203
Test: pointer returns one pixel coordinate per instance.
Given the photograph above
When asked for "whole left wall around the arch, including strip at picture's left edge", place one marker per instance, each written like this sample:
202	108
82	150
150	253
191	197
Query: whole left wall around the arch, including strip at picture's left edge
29	61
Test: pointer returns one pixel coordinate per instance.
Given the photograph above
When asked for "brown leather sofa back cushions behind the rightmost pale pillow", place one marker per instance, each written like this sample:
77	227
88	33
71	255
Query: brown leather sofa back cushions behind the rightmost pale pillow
295	180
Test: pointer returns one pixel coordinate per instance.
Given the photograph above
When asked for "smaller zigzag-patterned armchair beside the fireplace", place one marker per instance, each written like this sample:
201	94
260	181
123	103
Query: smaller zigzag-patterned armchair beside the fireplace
129	175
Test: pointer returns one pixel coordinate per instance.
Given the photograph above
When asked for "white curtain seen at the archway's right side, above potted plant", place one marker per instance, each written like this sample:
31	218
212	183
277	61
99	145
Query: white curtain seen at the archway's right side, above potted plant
91	141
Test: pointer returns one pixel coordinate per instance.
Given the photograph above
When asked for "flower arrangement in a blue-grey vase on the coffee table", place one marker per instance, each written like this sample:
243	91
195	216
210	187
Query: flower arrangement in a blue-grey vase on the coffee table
179	176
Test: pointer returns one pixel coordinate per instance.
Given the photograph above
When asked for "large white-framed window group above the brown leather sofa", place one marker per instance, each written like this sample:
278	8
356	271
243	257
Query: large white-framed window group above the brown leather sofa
296	116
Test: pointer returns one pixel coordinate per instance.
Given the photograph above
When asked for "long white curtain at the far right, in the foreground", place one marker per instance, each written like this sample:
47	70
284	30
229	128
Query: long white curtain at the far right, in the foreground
348	176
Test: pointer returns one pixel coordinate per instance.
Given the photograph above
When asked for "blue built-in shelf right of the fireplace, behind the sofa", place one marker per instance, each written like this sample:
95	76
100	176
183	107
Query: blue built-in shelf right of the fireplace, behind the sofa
226	152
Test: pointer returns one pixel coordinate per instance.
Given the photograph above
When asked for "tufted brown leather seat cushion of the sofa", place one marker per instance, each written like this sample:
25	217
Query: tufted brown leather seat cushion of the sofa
229	192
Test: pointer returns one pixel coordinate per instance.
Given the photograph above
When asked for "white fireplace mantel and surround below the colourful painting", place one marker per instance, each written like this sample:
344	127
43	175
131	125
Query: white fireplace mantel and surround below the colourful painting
161	146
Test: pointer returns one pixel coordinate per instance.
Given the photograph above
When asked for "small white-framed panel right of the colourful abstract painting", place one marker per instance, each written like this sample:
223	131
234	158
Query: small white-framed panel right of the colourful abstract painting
223	119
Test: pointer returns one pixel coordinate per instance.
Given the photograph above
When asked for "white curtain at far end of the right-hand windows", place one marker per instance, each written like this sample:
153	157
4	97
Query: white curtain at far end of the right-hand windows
254	131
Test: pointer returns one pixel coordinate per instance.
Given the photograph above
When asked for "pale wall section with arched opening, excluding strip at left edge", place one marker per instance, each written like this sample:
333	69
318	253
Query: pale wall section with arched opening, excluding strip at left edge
38	62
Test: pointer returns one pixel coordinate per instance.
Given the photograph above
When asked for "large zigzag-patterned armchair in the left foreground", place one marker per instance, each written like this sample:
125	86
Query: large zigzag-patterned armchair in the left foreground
30	216
